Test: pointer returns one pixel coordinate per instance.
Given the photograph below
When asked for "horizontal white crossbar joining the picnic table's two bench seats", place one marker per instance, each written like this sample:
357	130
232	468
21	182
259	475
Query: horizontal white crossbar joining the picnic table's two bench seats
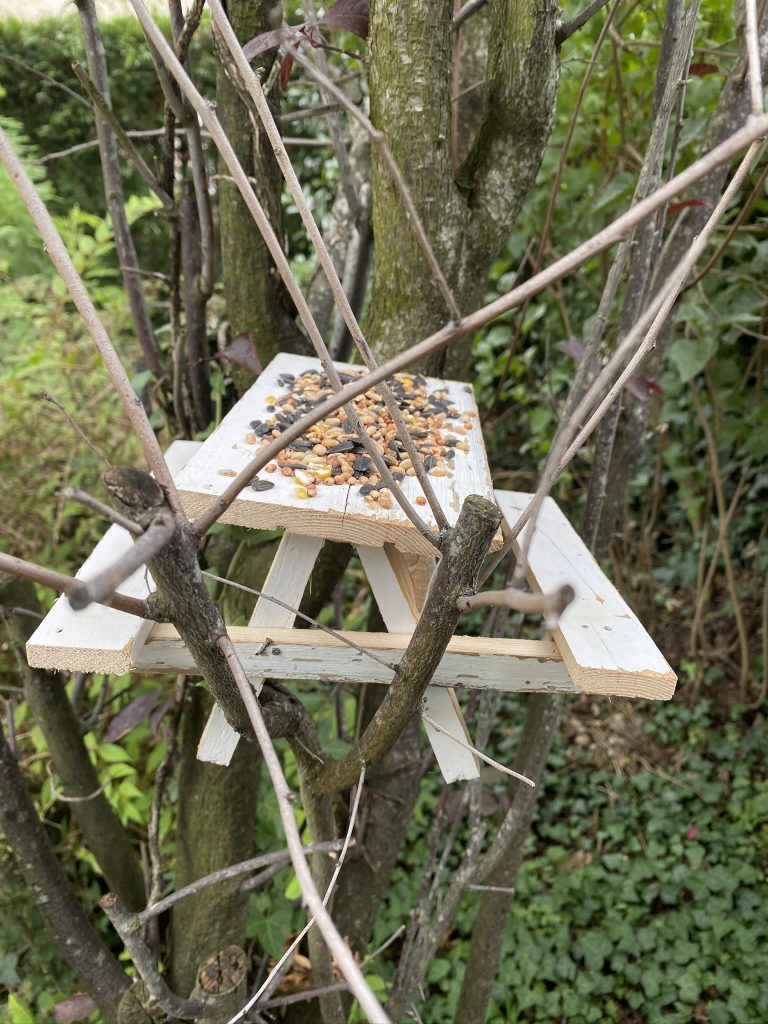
472	663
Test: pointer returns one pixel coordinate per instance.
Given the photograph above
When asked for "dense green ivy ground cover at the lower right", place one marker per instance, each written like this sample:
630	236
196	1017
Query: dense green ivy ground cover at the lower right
644	897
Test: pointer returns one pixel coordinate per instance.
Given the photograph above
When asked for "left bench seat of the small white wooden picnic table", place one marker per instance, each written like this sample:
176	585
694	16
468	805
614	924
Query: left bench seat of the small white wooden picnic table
100	639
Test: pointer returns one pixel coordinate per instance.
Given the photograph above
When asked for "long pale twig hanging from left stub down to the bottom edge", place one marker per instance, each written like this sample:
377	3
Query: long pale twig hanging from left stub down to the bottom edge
339	950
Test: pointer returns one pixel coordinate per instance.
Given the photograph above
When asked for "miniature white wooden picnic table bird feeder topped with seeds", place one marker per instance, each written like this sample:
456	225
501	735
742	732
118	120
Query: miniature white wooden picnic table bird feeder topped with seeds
600	646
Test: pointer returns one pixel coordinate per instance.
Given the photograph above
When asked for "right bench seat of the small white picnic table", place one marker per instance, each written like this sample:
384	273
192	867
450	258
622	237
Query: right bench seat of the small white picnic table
604	644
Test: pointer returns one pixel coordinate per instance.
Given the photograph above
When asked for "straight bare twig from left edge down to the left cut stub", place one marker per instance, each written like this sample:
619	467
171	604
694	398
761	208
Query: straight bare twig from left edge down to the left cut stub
79	294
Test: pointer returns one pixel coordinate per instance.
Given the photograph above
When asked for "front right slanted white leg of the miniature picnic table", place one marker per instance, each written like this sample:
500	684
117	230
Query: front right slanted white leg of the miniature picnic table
397	606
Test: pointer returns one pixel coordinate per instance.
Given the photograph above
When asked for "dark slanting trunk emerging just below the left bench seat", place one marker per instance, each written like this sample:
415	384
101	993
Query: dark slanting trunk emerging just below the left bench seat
102	830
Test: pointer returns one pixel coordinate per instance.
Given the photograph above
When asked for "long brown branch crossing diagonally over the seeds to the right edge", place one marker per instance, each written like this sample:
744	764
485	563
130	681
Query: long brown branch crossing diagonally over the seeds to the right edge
604	240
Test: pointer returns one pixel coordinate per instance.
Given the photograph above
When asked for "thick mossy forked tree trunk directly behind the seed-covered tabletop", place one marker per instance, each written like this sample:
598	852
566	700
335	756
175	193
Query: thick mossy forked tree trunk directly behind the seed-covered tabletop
467	219
